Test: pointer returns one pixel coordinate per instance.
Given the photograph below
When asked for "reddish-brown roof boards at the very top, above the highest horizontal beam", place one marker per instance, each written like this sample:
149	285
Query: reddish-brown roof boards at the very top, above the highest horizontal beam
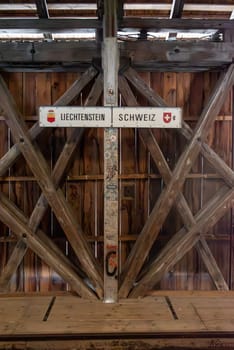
86	8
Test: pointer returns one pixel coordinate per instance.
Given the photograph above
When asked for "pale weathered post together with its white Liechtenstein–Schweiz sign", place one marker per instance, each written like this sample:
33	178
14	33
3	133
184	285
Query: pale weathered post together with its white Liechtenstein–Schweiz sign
110	117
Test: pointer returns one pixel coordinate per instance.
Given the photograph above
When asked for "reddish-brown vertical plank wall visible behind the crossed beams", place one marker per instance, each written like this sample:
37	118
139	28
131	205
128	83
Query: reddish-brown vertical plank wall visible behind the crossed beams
140	182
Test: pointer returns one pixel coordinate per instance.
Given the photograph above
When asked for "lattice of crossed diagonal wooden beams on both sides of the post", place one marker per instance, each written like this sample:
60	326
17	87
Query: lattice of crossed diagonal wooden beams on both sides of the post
192	234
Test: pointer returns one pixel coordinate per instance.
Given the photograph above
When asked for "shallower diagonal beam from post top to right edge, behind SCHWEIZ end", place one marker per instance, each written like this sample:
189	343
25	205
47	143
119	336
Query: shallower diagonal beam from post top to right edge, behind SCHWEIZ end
155	100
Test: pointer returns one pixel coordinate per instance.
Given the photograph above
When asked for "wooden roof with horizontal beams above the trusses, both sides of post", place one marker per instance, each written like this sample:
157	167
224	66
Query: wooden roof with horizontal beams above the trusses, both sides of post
153	35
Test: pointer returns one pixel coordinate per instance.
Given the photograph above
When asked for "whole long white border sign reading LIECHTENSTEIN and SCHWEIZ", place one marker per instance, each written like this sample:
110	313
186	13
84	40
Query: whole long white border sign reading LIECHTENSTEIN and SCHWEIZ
117	117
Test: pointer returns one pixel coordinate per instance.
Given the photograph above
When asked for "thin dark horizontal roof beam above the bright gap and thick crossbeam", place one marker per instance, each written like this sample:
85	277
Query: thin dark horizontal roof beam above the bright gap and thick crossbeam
68	24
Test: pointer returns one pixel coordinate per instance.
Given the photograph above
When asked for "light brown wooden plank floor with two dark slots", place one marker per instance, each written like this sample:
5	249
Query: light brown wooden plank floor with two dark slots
165	316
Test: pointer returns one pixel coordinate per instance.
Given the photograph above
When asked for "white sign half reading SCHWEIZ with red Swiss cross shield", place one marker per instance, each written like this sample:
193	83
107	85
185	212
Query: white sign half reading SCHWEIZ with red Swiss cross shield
147	117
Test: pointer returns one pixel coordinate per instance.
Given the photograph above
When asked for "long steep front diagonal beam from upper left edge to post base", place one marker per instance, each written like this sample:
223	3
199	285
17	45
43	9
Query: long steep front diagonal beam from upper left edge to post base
54	197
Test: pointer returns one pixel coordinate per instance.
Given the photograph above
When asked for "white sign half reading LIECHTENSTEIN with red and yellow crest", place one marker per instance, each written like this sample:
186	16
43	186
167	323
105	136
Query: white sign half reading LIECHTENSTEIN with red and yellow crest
92	117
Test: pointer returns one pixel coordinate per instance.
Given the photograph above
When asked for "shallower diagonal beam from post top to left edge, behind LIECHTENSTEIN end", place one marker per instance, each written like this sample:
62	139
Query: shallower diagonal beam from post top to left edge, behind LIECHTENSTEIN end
74	90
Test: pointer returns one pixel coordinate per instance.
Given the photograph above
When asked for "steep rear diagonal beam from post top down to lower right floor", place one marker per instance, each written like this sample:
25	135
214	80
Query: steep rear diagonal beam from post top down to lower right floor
181	203
